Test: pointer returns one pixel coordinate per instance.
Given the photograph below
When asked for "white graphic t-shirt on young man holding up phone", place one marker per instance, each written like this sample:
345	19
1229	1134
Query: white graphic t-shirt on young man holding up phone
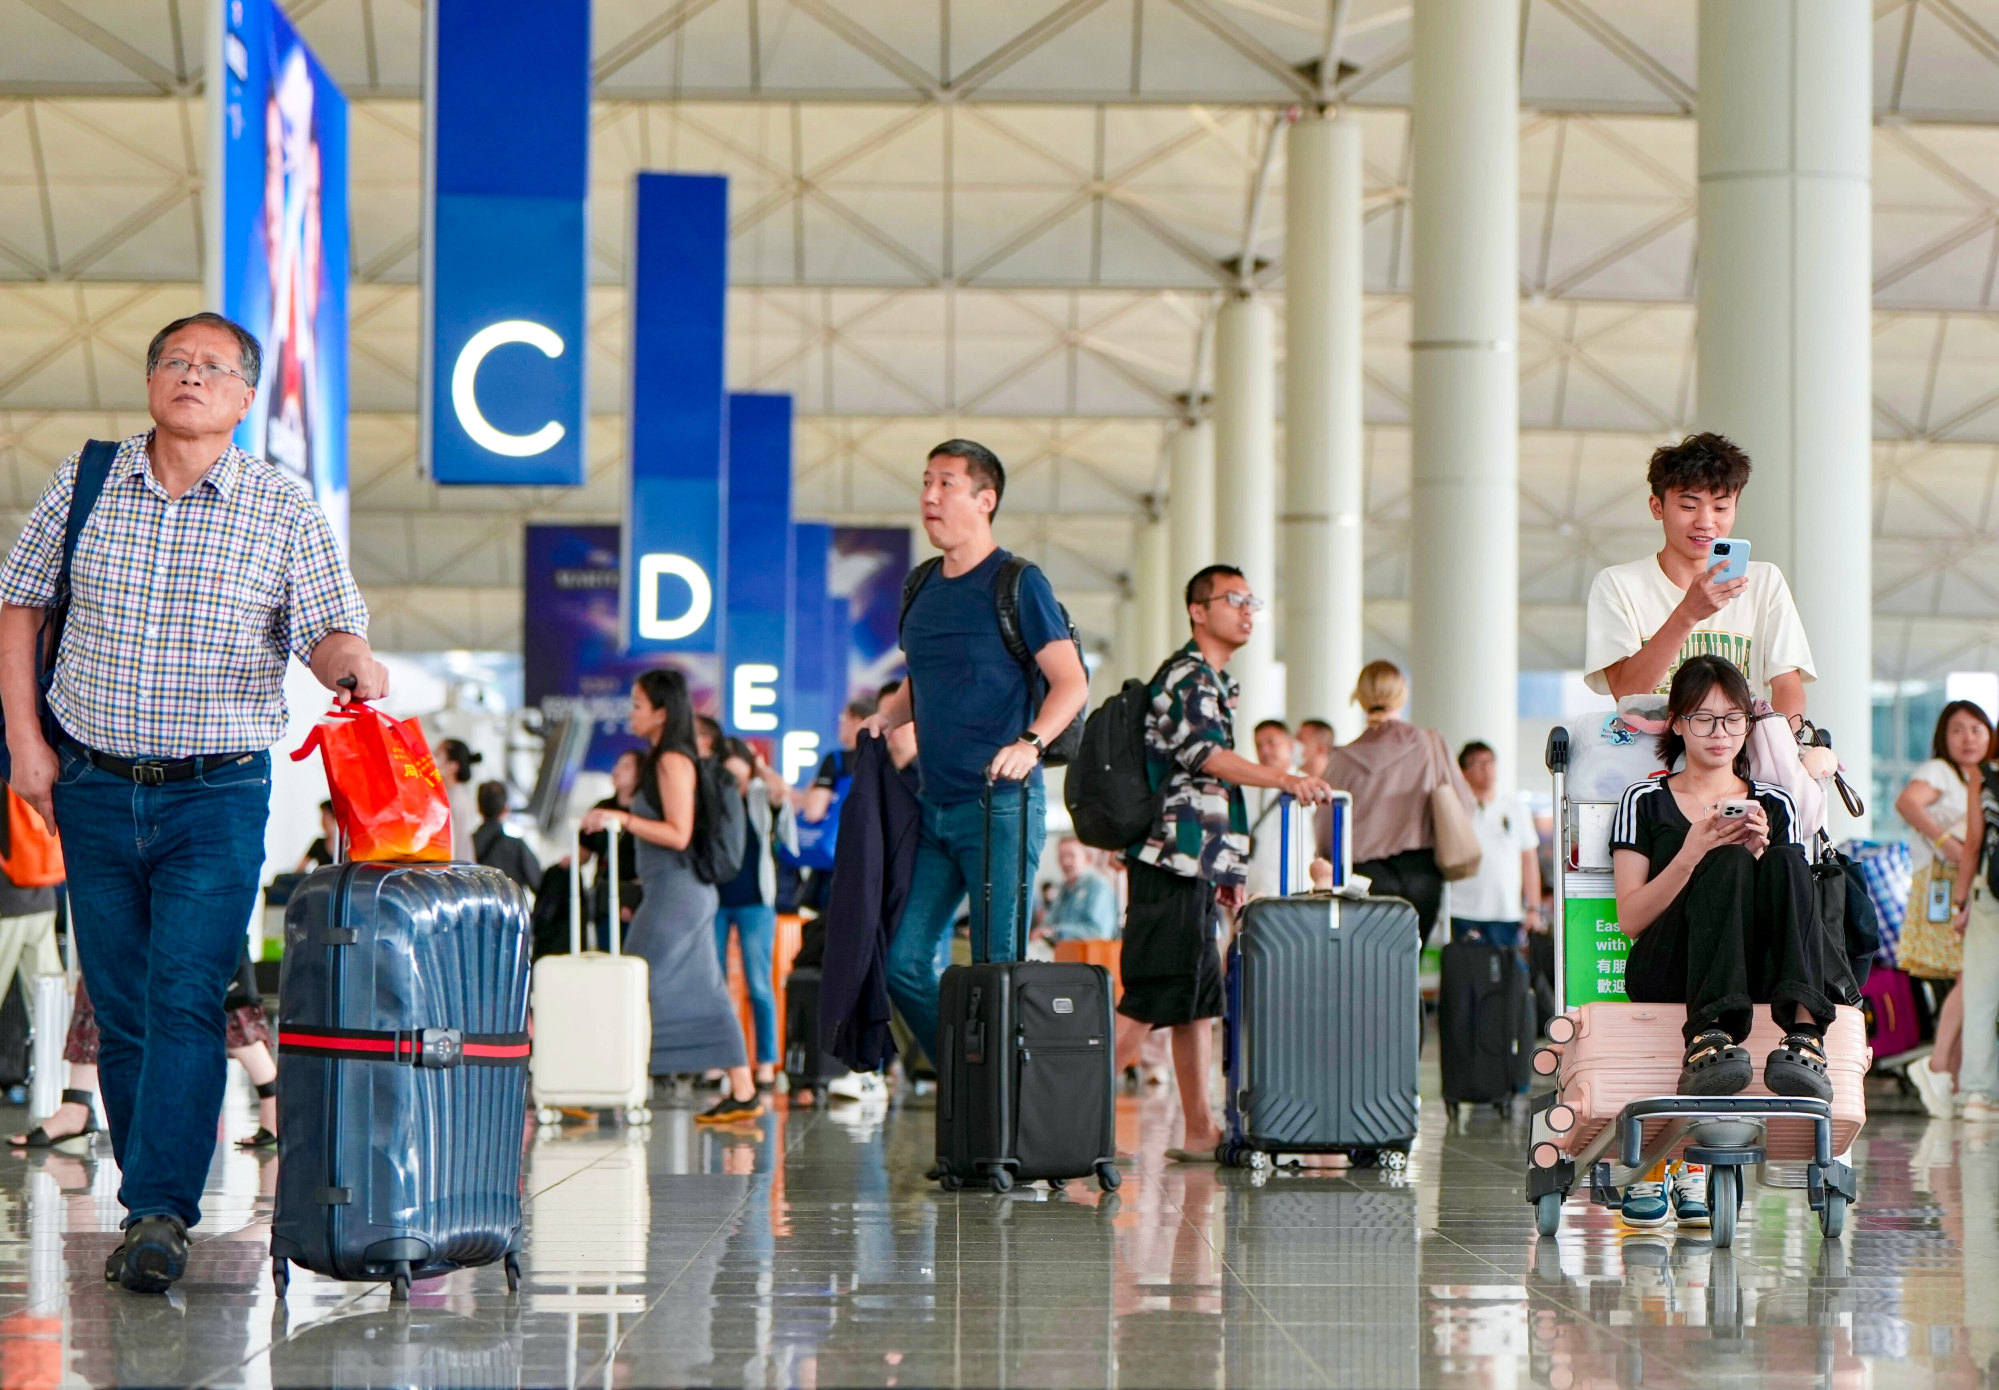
1760	631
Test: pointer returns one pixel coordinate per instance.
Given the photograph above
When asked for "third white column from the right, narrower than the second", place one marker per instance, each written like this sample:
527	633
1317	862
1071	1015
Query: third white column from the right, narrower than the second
1322	417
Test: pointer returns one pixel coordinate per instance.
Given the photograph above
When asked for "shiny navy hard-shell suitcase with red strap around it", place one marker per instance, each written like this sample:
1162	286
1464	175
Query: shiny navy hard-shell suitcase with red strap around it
403	1089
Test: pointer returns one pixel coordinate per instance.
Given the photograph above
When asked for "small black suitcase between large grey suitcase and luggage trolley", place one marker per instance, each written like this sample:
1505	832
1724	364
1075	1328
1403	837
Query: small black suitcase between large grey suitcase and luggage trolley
1486	1025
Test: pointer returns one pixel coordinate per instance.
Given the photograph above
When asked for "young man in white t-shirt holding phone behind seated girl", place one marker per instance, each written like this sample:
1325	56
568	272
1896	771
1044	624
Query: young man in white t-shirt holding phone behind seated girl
1652	615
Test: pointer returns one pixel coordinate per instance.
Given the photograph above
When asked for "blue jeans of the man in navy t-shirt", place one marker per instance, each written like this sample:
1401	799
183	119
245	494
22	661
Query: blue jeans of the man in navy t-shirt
951	857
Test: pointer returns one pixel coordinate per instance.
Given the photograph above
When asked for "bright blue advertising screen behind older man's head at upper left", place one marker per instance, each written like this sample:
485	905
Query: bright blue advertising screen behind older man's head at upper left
281	261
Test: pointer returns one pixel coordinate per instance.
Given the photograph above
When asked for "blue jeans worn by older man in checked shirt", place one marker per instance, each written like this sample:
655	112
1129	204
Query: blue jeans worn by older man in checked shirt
163	881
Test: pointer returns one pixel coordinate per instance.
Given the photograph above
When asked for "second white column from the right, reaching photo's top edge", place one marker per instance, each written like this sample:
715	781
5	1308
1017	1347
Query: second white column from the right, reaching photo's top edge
1464	583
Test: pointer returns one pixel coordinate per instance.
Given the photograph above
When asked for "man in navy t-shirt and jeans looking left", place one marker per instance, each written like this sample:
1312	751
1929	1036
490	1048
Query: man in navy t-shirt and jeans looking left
977	719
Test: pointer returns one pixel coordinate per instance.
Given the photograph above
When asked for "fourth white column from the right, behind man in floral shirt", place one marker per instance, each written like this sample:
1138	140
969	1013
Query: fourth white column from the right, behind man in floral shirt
1246	491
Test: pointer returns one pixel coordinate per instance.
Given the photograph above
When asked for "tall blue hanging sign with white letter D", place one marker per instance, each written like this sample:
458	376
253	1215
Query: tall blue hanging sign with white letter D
679	413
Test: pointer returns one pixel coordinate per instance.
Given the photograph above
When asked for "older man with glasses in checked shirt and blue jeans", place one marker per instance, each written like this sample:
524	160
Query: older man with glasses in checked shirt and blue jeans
199	573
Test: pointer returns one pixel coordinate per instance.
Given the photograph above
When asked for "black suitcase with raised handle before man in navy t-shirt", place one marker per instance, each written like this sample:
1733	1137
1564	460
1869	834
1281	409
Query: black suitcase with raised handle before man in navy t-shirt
1024	1079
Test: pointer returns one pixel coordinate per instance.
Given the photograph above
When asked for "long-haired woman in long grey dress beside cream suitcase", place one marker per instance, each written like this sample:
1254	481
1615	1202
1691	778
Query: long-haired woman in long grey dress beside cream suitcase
695	1021
